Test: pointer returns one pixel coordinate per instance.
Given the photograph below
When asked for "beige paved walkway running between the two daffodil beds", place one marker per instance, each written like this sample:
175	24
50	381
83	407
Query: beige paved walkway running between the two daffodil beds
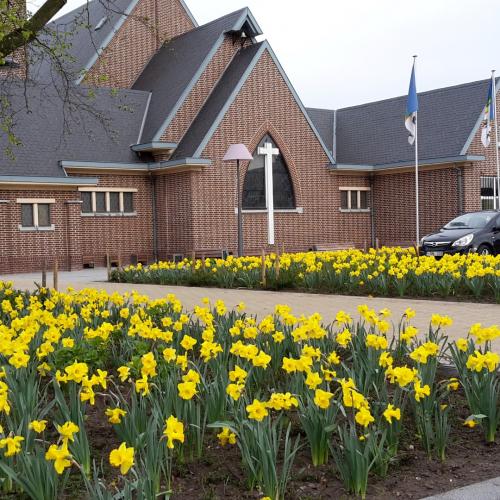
261	303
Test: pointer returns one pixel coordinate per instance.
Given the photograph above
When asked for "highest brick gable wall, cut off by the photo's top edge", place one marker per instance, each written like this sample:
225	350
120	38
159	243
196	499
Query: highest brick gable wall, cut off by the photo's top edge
150	24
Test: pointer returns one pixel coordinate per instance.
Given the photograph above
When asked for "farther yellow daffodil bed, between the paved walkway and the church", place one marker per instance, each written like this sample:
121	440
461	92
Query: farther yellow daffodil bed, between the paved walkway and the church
385	272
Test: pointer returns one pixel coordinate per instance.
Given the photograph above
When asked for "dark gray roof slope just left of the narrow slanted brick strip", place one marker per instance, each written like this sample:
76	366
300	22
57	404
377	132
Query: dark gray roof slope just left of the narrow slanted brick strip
176	66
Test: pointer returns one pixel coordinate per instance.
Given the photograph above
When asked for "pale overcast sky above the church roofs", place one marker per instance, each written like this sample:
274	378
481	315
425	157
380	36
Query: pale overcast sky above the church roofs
340	53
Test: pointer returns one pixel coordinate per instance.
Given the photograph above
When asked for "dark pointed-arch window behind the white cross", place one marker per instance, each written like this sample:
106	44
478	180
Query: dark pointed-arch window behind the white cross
254	186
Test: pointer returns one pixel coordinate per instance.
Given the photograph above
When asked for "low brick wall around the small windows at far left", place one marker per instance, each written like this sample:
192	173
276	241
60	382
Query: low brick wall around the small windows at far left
75	236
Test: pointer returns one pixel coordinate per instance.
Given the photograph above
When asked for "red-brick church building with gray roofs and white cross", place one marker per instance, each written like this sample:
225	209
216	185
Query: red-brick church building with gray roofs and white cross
140	175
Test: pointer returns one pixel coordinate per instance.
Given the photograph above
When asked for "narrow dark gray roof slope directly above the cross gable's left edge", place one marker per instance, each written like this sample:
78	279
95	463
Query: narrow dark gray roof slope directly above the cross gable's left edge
200	127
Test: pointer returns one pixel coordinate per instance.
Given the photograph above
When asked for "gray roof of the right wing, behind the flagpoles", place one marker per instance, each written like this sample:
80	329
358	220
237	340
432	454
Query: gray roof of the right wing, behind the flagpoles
374	133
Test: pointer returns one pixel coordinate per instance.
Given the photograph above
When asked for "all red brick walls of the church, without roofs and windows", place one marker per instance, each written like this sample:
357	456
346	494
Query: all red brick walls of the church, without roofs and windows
195	209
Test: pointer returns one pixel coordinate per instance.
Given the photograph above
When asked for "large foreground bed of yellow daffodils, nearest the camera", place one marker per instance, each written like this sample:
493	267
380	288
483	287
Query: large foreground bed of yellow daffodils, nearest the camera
122	394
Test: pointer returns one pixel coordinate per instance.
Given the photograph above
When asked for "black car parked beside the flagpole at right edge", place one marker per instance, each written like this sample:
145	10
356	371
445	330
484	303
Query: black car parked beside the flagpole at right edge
474	232
